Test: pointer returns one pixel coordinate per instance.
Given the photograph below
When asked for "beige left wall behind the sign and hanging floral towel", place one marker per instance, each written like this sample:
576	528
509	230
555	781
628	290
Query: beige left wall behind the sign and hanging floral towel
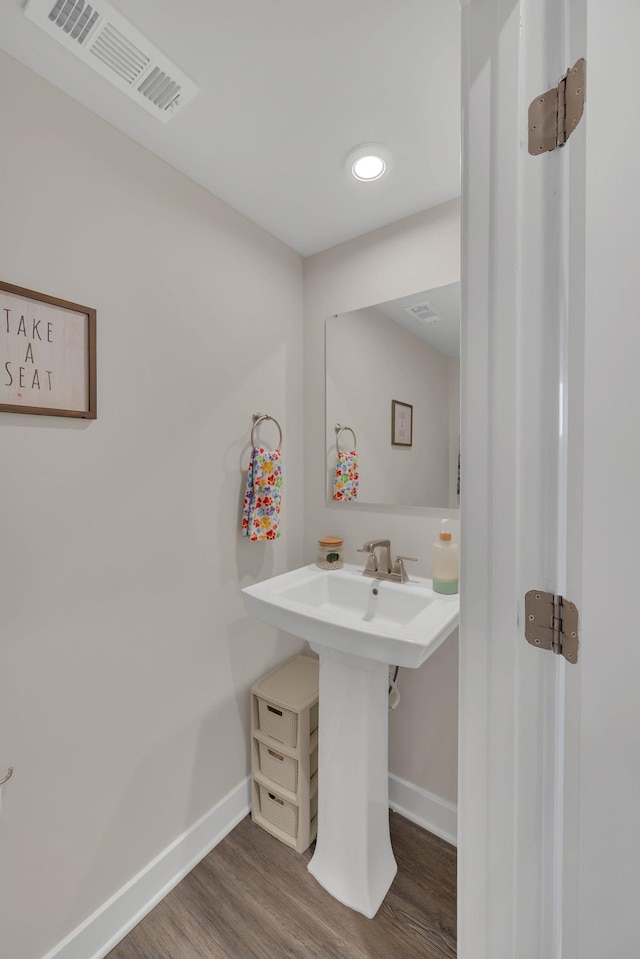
126	658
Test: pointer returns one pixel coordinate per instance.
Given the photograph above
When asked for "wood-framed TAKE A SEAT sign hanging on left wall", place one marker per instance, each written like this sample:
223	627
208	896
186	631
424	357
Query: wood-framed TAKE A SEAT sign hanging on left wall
47	354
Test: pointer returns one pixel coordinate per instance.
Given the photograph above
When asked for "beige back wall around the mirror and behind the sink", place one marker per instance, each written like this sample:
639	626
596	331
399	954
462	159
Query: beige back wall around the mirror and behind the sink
418	253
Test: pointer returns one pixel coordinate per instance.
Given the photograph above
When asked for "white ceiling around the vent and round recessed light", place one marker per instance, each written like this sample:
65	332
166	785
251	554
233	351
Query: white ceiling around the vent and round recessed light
288	87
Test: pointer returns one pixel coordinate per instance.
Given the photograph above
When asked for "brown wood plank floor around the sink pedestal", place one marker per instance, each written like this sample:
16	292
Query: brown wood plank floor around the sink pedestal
252	898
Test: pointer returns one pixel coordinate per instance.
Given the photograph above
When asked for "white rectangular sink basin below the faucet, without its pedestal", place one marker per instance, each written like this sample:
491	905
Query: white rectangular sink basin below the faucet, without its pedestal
398	623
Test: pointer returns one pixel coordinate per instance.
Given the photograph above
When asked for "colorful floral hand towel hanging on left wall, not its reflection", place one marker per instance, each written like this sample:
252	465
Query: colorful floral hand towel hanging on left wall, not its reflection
261	510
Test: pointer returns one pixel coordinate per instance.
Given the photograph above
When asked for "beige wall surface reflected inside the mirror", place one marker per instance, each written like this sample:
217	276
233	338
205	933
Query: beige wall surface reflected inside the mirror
370	361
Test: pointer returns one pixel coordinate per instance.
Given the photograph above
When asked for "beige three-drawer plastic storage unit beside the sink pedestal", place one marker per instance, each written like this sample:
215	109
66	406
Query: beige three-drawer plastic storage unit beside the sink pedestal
284	751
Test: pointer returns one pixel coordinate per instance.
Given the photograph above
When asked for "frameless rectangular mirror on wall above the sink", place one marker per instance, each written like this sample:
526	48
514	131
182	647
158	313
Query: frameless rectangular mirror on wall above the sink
392	378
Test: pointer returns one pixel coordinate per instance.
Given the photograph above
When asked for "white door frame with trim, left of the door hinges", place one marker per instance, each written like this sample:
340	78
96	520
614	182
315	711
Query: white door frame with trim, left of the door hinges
514	362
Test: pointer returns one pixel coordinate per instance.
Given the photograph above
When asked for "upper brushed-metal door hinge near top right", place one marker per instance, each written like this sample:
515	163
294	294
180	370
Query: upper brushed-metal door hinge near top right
554	115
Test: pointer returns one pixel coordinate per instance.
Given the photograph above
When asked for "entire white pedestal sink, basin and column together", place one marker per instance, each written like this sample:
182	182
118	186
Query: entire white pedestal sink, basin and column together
358	626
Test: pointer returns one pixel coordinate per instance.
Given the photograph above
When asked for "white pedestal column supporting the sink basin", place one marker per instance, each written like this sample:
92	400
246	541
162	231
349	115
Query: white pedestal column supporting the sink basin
353	859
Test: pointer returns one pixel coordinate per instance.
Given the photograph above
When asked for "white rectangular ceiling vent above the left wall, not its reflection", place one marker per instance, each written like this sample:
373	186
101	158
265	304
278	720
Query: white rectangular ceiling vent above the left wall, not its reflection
109	43
